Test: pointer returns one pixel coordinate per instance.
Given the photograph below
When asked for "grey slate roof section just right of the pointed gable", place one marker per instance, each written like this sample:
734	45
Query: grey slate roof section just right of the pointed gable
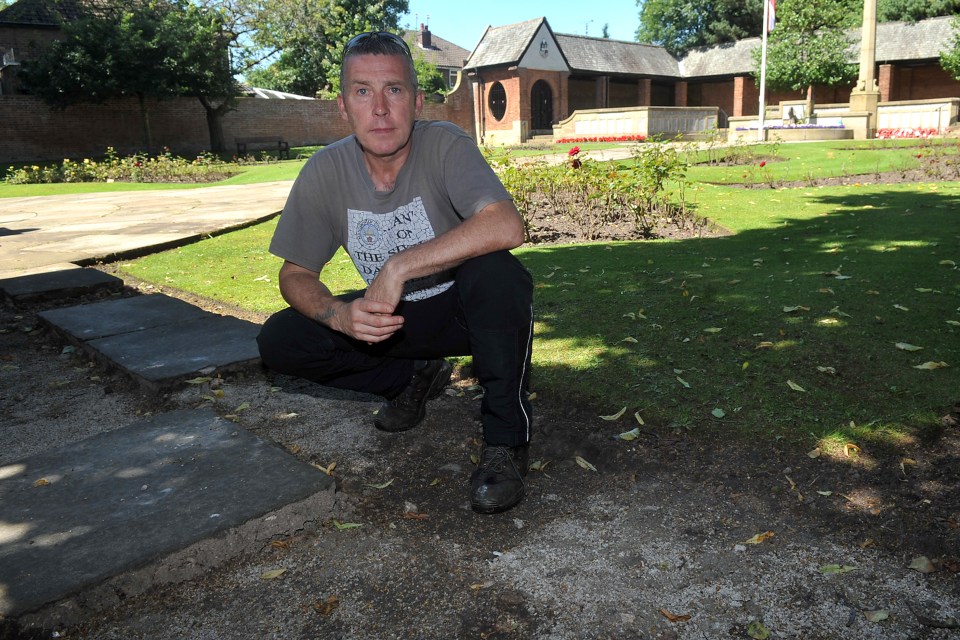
601	55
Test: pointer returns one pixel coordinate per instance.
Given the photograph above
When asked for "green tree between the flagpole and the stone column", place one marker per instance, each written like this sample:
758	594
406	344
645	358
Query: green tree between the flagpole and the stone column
810	46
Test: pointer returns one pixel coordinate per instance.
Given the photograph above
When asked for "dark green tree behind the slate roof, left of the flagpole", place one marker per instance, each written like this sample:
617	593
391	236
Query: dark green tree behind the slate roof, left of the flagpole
682	25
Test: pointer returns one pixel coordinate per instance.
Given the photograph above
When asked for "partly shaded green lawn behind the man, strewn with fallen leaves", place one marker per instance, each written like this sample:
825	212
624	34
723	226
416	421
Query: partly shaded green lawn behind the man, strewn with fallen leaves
786	330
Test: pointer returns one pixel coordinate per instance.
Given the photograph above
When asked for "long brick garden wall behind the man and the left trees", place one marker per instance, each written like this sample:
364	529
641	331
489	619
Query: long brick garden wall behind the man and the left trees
33	132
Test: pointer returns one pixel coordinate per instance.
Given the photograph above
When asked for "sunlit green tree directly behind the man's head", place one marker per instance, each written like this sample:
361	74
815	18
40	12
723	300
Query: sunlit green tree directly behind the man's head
303	40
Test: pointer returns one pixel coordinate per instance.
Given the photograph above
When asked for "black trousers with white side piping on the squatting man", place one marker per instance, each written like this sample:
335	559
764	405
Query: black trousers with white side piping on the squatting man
487	313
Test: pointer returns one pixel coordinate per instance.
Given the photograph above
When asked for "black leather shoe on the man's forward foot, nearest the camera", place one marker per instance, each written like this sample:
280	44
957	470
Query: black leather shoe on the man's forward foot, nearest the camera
497	483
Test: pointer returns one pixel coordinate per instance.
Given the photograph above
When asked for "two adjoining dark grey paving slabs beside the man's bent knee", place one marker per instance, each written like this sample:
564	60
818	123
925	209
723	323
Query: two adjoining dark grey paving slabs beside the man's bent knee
158	340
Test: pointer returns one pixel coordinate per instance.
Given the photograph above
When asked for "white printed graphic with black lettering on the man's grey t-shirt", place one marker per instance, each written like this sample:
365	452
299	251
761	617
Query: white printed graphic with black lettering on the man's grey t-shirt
374	237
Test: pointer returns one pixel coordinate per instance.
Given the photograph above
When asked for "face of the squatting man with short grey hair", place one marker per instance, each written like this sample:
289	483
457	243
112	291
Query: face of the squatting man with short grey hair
380	103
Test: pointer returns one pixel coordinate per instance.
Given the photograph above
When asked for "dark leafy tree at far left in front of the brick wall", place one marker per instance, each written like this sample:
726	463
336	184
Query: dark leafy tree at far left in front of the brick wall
150	50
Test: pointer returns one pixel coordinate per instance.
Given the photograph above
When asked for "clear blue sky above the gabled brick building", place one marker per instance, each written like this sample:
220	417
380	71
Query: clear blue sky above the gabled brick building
463	23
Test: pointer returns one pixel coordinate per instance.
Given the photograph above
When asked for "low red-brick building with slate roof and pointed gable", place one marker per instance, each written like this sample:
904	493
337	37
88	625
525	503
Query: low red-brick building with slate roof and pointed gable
527	78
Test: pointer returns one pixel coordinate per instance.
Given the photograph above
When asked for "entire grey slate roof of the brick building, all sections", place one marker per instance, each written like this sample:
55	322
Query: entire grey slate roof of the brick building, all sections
896	42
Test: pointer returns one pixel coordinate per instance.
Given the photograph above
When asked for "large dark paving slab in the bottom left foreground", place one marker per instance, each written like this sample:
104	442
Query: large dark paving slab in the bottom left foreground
157	501
